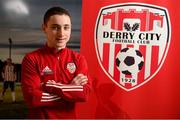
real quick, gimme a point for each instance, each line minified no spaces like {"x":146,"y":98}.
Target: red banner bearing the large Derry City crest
{"x":132,"y":51}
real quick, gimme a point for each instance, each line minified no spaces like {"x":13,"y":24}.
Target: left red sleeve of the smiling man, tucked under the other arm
{"x":31,"y":86}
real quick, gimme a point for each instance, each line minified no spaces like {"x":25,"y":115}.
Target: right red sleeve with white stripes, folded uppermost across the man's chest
{"x":72,"y":92}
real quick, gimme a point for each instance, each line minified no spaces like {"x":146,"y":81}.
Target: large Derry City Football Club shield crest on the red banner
{"x":132,"y":41}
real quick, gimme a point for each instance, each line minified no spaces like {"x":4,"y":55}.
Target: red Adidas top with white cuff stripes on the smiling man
{"x":57,"y":98}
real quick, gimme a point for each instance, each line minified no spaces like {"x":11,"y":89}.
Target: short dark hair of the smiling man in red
{"x":53,"y":11}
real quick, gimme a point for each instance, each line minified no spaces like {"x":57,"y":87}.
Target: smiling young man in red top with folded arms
{"x":54,"y":77}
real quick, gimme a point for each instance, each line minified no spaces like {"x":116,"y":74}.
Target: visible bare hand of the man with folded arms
{"x":80,"y":79}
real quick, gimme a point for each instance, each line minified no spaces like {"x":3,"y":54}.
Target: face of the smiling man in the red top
{"x":58,"y":31}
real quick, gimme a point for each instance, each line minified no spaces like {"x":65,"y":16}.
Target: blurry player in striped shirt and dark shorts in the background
{"x":9,"y":76}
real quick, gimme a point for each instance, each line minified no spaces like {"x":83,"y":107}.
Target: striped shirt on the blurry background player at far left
{"x":9,"y":73}
